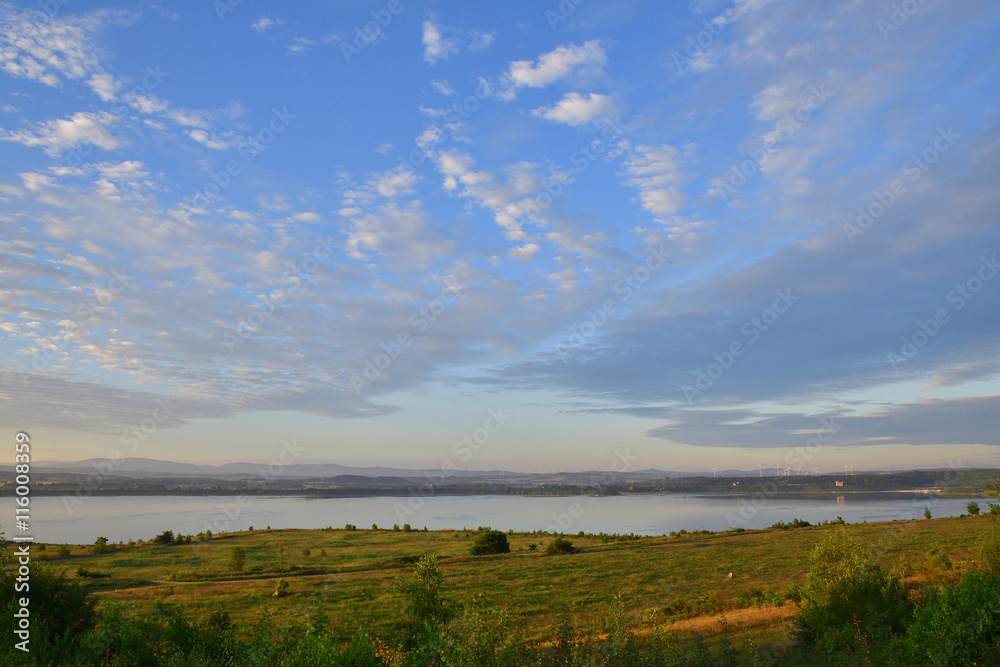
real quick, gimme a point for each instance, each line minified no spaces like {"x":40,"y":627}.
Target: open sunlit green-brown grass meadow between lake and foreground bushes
{"x":354,"y":583}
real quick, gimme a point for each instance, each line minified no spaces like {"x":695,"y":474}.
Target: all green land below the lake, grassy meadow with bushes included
{"x":907,"y":593}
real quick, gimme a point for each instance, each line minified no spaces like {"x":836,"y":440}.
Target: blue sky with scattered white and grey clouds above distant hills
{"x":536,"y":236}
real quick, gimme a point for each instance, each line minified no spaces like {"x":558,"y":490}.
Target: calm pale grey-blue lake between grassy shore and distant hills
{"x":124,"y":518}
